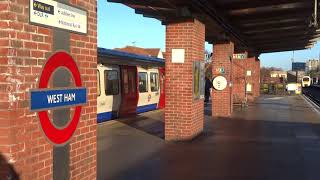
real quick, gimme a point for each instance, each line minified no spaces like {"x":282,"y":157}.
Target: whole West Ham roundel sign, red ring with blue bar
{"x":44,"y":99}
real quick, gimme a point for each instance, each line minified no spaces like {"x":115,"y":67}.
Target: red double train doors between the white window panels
{"x":129,"y":90}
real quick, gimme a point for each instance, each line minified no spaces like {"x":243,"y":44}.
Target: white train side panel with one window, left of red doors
{"x":109,"y":97}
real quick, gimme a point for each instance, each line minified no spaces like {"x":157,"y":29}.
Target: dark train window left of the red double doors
{"x":112,"y":82}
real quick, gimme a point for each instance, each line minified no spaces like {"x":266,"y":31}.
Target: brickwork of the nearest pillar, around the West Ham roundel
{"x":24,"y":49}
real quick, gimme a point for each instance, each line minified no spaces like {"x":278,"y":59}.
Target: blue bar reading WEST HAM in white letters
{"x":42,"y":99}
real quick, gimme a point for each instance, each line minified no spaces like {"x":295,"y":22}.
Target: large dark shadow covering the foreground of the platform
{"x":234,"y":149}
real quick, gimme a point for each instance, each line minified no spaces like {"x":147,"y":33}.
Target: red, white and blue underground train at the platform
{"x":128,"y":84}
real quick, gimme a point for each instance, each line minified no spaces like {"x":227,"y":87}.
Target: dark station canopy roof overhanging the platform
{"x":257,"y":26}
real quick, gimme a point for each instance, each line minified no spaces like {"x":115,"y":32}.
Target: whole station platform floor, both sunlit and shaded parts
{"x":275,"y":138}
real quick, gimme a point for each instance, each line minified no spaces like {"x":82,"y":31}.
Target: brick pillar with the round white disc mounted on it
{"x":222,"y":101}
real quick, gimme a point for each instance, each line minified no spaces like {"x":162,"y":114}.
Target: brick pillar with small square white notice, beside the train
{"x":183,"y":116}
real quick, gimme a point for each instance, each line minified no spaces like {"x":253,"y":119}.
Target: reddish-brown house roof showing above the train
{"x":152,"y":52}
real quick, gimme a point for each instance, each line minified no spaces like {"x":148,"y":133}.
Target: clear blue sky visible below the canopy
{"x":119,"y":26}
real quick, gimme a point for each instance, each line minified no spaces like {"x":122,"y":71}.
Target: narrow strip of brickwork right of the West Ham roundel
{"x":83,"y":158}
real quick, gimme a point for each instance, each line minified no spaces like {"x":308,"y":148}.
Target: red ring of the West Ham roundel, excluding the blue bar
{"x":58,"y":60}
